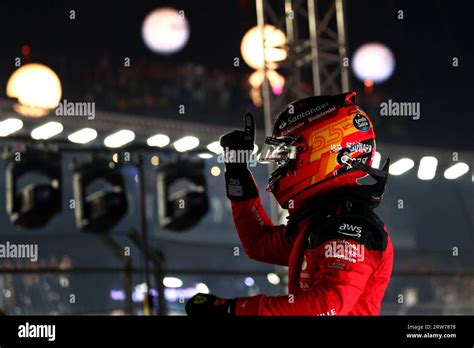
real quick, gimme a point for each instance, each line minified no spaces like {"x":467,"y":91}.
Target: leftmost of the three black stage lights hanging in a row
{"x":34,"y":205}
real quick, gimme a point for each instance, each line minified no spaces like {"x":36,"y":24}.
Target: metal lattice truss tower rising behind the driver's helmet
{"x":317,"y":62}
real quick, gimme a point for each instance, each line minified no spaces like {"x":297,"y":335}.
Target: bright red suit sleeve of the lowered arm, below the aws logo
{"x":340,"y":279}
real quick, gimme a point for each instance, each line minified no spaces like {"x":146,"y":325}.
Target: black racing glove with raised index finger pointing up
{"x":238,"y":146}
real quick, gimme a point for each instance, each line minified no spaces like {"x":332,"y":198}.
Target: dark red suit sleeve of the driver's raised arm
{"x":262,"y":241}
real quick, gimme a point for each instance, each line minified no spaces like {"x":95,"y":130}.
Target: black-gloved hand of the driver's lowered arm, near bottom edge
{"x":206,"y":305}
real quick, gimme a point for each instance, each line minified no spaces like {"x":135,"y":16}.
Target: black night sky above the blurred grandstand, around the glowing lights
{"x":424,"y":43}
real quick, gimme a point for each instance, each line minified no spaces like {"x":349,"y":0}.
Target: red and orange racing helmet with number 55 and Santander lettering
{"x":320,"y":144}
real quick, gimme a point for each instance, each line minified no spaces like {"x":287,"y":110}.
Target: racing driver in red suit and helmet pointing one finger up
{"x":338,"y":252}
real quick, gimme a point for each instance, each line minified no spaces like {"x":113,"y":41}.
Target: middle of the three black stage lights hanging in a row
{"x":98,"y":211}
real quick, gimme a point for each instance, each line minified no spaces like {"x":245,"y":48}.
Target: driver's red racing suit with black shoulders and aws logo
{"x":339,"y":263}
